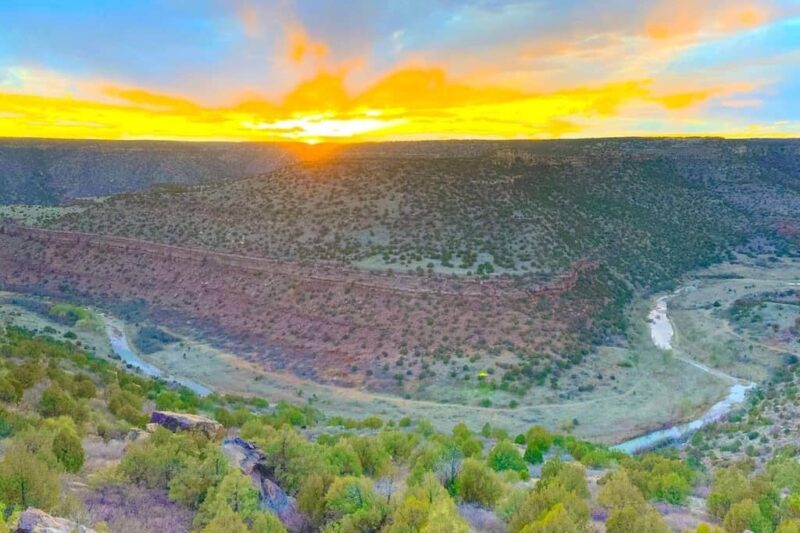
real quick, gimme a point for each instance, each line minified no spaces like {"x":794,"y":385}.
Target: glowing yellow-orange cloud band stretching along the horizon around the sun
{"x":408,"y":103}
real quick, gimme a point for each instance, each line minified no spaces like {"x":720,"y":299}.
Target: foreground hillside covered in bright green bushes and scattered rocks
{"x":77,"y":445}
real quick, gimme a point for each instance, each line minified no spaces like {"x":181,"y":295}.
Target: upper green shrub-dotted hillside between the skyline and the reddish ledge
{"x":649,"y":210}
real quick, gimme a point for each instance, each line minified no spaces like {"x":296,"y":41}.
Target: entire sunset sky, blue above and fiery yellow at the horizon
{"x":373,"y":70}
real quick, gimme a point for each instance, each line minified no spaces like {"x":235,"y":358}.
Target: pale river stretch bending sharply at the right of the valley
{"x":661,"y":332}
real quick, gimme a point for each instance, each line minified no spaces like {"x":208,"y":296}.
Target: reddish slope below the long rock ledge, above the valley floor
{"x":318,"y":321}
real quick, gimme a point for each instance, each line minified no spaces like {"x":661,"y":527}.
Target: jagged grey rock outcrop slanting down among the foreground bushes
{"x":252,"y":463}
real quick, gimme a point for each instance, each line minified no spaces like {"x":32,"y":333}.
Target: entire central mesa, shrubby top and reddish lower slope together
{"x":390,"y":266}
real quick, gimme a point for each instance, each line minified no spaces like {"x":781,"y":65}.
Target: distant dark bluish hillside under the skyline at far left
{"x":34,"y":171}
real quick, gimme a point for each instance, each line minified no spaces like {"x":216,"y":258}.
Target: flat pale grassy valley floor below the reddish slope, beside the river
{"x":644,"y":388}
